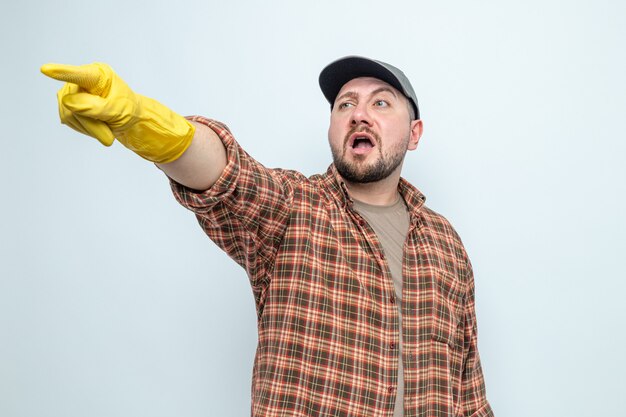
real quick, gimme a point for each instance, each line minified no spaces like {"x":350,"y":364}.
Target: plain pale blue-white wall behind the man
{"x":114,"y":303}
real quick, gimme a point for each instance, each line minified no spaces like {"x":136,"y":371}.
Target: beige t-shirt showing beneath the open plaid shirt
{"x":391,"y":224}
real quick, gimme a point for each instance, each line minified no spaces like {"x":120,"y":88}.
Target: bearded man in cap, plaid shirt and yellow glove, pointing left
{"x":364,"y":296}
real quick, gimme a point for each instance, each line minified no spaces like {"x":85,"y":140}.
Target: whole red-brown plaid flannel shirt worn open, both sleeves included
{"x":328,"y":321}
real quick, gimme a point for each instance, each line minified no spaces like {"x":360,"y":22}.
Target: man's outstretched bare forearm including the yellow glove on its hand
{"x":97,"y":102}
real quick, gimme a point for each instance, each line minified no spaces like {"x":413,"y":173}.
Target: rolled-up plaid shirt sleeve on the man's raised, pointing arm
{"x":246,"y":211}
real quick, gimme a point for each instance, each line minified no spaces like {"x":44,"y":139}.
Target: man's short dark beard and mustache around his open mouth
{"x":362,"y":173}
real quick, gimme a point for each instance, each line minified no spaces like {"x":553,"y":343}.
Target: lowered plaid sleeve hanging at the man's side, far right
{"x":473,"y":394}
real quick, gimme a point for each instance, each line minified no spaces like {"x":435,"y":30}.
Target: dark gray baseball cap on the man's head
{"x":339,"y":72}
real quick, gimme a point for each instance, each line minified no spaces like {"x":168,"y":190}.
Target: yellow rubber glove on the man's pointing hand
{"x":97,"y":102}
